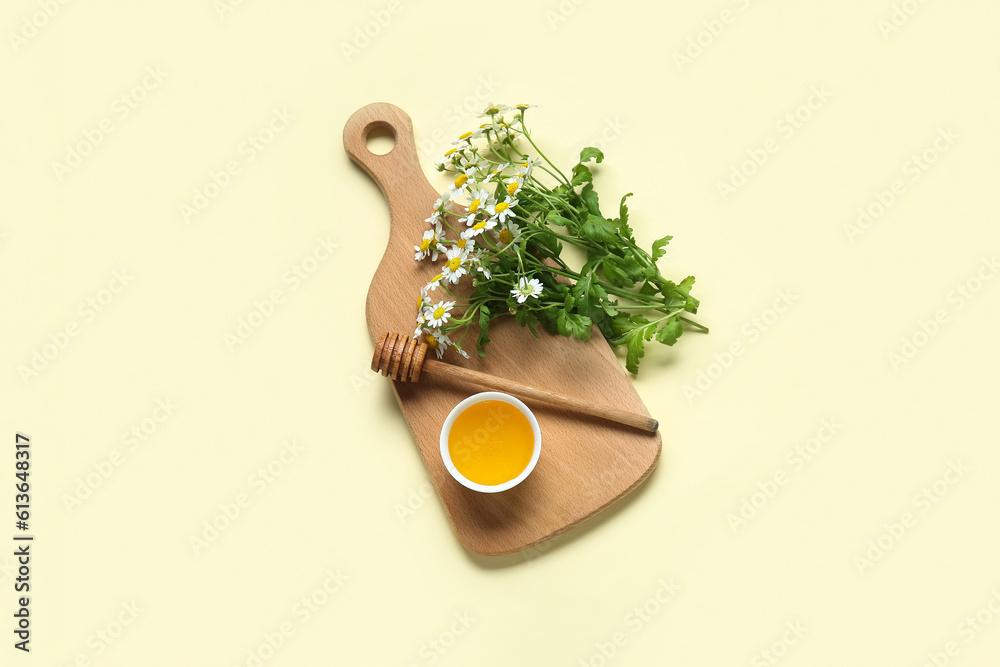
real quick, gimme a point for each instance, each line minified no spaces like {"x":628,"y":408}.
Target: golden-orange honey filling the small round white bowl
{"x":491,"y":442}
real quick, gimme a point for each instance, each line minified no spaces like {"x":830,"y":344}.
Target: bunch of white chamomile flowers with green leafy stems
{"x":503,"y":223}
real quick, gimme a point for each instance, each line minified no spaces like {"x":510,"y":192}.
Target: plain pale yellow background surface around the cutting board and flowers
{"x":351,"y":499}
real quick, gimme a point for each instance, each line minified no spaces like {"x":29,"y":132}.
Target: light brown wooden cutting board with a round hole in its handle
{"x":586,"y":463}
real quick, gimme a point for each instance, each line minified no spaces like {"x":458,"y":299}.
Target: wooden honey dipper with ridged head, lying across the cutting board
{"x":402,"y":358}
